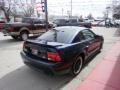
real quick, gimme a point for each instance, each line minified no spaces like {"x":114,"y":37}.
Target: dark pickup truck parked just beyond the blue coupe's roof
{"x":71,"y":22}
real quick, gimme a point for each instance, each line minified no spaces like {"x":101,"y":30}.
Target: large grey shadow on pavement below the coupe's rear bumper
{"x":28,"y":79}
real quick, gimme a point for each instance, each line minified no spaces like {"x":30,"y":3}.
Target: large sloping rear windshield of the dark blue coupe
{"x":61,"y":36}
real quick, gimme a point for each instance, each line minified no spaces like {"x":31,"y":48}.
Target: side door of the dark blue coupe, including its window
{"x":90,"y":38}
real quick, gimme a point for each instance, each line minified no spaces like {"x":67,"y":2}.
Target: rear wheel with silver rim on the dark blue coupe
{"x":77,"y":66}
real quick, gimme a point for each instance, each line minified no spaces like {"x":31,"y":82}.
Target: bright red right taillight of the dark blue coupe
{"x":53,"y":56}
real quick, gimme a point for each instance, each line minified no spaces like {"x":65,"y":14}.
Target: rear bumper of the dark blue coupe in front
{"x":55,"y":68}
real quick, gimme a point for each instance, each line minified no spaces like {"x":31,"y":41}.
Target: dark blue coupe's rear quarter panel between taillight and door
{"x":70,"y":52}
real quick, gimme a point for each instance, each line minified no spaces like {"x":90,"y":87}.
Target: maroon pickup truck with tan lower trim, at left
{"x":23,"y":29}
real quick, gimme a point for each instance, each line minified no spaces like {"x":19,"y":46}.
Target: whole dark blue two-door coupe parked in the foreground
{"x":62,"y":49}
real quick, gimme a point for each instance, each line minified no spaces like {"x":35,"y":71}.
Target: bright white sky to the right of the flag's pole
{"x":80,"y":7}
